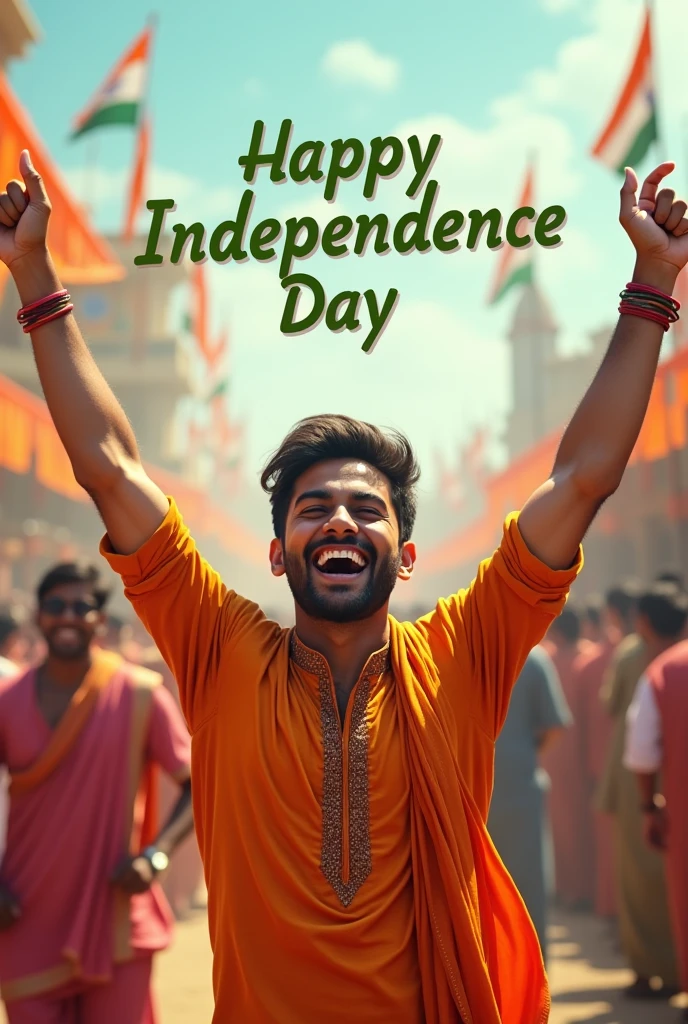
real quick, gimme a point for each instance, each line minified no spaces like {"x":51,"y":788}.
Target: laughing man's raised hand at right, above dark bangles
{"x":657,"y":224}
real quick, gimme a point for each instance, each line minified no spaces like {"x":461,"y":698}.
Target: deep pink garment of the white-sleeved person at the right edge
{"x":669,"y":678}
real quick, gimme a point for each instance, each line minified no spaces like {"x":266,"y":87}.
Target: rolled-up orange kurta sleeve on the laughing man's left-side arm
{"x":187,"y":609}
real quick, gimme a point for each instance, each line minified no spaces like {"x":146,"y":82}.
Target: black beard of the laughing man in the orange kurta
{"x":341,"y":608}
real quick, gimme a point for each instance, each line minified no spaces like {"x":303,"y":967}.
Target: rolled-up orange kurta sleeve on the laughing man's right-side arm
{"x":481,"y":637}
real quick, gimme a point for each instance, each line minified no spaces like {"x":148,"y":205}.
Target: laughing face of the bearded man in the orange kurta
{"x":341,"y":550}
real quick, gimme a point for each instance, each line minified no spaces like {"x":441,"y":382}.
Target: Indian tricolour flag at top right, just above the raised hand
{"x":633,"y":125}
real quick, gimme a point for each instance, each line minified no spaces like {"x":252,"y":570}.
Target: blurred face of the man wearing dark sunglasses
{"x":69,"y":618}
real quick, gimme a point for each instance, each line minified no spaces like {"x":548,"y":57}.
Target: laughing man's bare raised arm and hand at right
{"x":600,"y":439}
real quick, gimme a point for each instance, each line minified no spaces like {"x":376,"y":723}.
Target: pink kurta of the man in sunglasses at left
{"x":67,"y":835}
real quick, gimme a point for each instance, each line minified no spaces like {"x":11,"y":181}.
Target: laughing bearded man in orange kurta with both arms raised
{"x":343,"y":770}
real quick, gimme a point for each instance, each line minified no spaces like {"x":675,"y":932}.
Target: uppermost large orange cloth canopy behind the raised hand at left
{"x":81,"y":257}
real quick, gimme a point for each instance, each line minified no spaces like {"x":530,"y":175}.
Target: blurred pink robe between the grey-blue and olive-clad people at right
{"x":566,"y":762}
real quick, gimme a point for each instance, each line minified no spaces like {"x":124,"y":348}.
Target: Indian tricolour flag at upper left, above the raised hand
{"x":120,"y":98}
